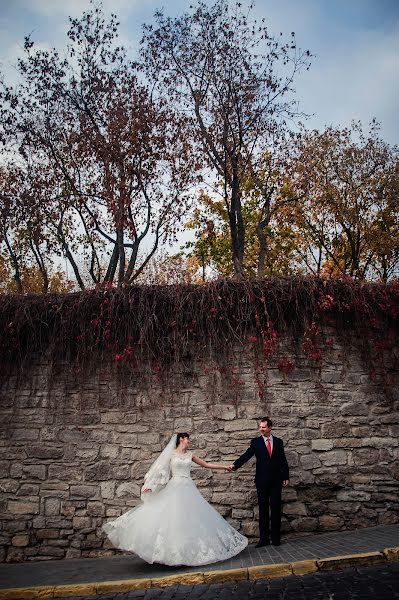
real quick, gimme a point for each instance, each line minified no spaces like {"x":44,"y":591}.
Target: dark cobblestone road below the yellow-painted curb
{"x":369,"y":583}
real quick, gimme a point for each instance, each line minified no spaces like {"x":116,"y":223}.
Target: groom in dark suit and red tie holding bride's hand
{"x":271,"y":474}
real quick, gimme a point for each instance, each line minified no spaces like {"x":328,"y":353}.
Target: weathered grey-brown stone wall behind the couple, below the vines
{"x":74,"y":449}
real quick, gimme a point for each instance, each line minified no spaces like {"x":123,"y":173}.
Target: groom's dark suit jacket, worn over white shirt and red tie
{"x":269,"y":470}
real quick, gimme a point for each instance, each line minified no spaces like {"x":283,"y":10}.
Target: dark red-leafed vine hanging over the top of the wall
{"x":150,"y":332}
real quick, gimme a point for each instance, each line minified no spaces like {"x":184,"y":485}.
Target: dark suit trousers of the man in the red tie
{"x":269,"y":497}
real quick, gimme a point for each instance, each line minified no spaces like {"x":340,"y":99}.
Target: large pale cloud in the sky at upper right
{"x":355,"y":80}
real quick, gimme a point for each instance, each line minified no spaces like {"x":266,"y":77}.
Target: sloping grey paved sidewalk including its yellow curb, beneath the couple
{"x":129,"y":568}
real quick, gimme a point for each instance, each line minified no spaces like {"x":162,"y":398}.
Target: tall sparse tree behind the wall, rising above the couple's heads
{"x":234,"y":80}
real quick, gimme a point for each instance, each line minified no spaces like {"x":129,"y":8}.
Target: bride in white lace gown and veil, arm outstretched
{"x":174,"y":524}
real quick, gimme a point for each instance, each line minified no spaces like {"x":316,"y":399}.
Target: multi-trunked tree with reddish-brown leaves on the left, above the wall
{"x":110,"y":163}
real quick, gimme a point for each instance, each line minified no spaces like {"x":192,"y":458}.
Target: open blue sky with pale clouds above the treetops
{"x":355,"y":43}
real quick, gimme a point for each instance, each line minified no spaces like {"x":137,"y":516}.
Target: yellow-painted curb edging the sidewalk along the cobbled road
{"x":302,"y":567}
